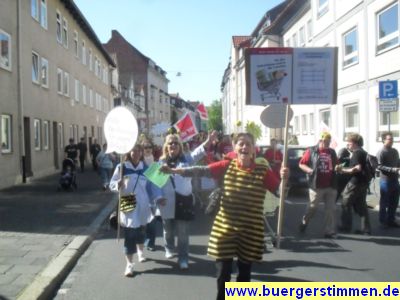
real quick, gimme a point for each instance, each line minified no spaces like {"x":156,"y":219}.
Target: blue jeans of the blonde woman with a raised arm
{"x":181,"y":229}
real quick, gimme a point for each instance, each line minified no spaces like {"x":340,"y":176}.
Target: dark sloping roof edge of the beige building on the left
{"x":84,"y":24}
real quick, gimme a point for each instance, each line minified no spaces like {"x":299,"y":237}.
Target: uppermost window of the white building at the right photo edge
{"x":388,"y":28}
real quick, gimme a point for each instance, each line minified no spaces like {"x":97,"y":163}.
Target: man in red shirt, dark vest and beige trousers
{"x":319,"y":163}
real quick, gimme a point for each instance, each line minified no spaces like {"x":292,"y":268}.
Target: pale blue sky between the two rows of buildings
{"x":192,"y":37}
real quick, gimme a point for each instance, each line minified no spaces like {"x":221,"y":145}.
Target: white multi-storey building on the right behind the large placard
{"x":368,"y":38}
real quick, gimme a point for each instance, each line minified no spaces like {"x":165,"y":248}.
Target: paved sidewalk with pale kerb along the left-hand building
{"x":44,"y":231}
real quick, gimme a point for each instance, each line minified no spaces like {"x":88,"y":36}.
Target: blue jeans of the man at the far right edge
{"x":390,"y":192}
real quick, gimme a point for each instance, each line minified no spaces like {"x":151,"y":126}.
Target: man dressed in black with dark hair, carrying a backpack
{"x":355,"y":192}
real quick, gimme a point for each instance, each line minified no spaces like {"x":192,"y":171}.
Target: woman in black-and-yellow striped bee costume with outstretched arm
{"x":238,"y":229}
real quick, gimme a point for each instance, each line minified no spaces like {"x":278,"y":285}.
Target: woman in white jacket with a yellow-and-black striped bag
{"x":138,"y":196}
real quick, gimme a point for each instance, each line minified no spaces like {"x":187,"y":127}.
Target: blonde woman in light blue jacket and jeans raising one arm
{"x":176,"y":214}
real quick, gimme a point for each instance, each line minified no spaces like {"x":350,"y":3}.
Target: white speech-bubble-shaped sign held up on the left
{"x":120,"y":130}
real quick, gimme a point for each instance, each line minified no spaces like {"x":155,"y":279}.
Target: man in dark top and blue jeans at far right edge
{"x":388,"y":164}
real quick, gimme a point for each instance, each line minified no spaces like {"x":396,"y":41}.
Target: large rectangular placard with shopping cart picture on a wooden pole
{"x":291,"y":75}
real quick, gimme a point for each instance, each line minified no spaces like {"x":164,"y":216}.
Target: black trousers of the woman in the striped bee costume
{"x":224,"y":271}
